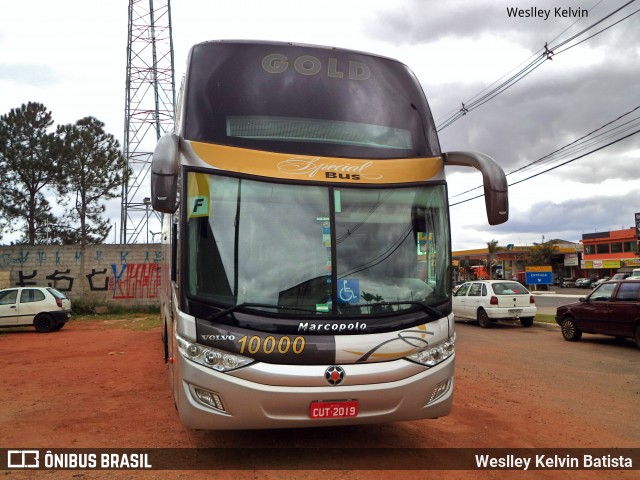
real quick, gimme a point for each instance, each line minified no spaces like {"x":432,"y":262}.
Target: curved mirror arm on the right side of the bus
{"x":496,"y":195}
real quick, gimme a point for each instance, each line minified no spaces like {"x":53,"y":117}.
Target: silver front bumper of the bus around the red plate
{"x":207,"y":399}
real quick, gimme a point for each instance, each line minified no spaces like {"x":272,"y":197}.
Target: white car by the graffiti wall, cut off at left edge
{"x":45,"y":308}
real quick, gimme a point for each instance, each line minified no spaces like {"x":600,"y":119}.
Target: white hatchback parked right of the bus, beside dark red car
{"x":488,"y":301}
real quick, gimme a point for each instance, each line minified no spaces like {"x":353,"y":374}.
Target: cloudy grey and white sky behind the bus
{"x":71,"y":56}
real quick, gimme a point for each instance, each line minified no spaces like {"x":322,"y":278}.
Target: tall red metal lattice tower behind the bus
{"x":149,"y":109}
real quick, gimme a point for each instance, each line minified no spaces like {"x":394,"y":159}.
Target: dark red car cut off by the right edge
{"x":613,"y":308}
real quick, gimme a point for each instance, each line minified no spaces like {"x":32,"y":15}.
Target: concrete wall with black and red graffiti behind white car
{"x":126,"y":275}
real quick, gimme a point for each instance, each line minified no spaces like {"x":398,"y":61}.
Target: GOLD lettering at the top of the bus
{"x":310,"y":65}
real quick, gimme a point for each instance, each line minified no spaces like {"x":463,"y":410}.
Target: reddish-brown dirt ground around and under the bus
{"x":99,"y":385}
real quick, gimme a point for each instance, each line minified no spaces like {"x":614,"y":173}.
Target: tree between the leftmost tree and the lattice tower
{"x":92,"y":167}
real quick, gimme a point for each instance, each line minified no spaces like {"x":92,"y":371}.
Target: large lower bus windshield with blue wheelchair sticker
{"x":293,"y":249}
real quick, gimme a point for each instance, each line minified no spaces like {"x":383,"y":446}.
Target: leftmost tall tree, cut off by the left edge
{"x":29,"y":165}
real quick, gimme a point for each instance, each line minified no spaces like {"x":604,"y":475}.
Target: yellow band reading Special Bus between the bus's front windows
{"x":313,"y":168}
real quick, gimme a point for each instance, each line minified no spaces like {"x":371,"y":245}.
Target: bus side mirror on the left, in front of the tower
{"x":164,"y":174}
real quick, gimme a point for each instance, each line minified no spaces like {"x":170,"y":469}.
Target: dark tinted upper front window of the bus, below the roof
{"x":347,"y":104}
